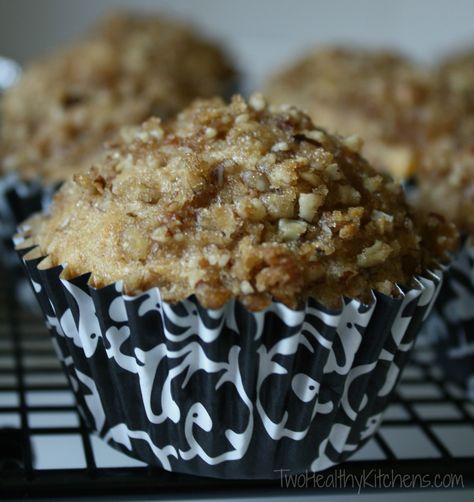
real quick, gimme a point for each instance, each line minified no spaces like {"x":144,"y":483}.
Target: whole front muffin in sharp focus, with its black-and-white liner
{"x":236,"y":288}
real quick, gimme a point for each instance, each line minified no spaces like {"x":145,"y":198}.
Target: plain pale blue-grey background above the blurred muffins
{"x":261,"y":33}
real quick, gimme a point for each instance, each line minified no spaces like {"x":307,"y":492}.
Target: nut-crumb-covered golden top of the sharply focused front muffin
{"x":238,"y":200}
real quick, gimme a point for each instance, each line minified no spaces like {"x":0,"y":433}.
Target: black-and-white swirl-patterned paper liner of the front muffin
{"x":230,"y":393}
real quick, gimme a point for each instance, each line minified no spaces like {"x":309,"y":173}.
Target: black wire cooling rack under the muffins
{"x":427,"y":435}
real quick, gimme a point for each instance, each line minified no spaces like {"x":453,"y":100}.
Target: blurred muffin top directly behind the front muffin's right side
{"x":392,"y":103}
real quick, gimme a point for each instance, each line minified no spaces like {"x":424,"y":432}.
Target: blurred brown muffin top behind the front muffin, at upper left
{"x":131,"y":67}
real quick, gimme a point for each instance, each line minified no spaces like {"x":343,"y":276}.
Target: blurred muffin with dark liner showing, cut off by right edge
{"x":445,"y":183}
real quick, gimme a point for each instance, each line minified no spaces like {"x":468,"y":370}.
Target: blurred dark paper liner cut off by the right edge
{"x":450,"y":328}
